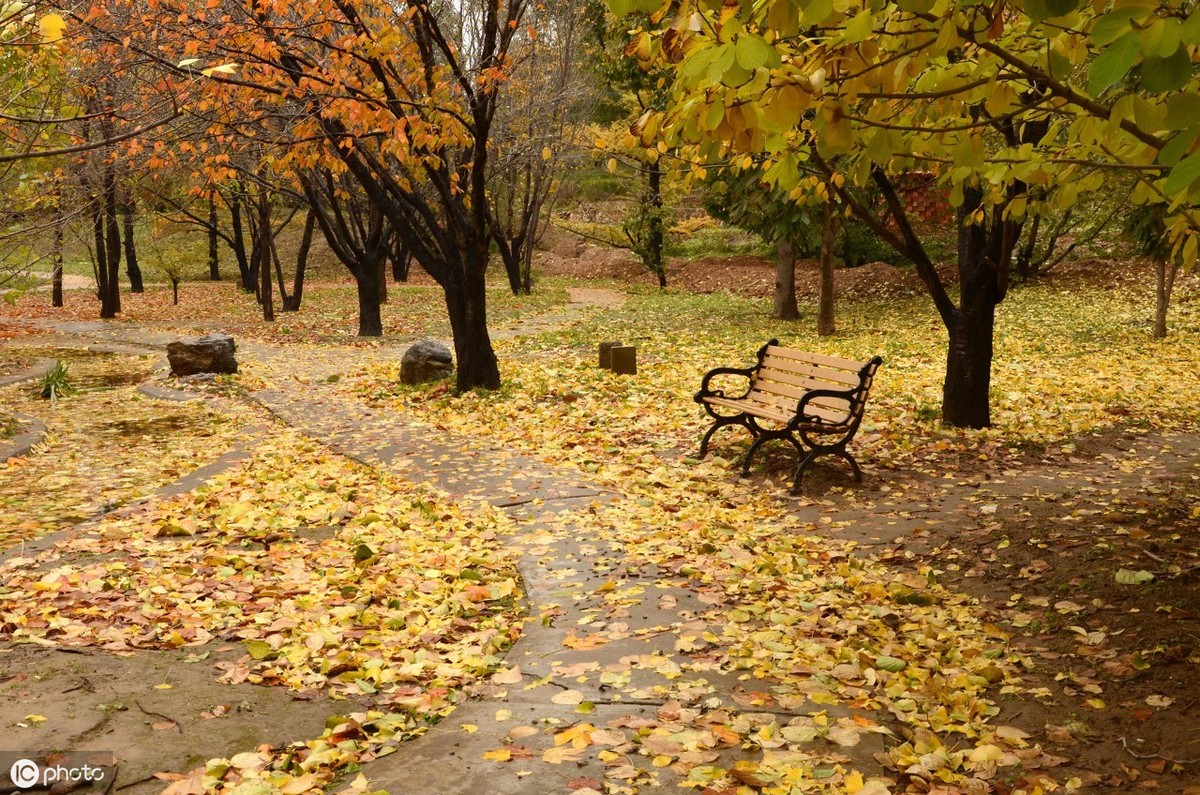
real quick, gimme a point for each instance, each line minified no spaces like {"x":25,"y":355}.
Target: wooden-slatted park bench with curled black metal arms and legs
{"x":813,"y":402}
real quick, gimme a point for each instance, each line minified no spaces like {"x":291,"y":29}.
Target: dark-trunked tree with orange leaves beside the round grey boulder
{"x":403,"y":97}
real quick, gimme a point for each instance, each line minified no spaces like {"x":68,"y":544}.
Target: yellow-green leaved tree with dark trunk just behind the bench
{"x":999,"y":100}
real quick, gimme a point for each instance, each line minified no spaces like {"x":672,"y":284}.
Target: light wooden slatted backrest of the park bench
{"x":785,"y":375}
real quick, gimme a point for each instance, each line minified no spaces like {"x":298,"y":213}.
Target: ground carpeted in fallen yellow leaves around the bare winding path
{"x":1017,"y":606}
